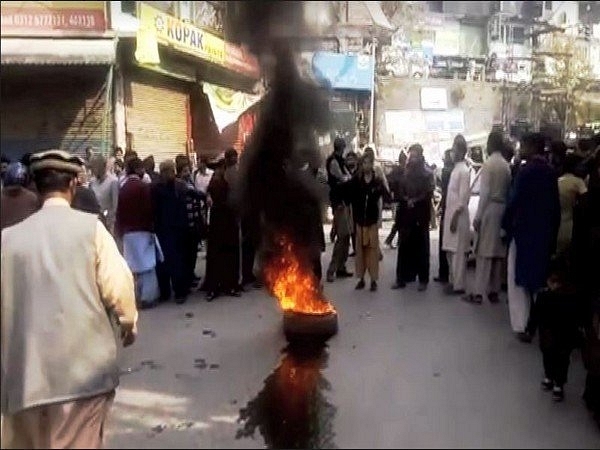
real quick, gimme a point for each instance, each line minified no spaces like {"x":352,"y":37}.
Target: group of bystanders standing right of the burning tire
{"x":536,"y":233}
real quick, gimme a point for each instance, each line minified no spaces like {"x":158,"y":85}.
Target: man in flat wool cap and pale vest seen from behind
{"x":65,"y":292}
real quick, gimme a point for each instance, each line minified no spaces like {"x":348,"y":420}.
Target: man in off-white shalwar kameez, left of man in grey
{"x":457,"y":234}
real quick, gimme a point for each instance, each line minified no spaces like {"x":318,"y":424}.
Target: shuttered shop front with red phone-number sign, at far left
{"x":57,"y":67}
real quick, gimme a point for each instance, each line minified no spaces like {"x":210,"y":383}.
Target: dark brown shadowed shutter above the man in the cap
{"x":39,"y":114}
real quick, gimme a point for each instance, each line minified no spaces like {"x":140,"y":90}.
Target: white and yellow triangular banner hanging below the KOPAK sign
{"x":228,"y":105}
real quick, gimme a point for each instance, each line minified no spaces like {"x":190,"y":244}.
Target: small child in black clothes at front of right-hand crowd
{"x":558,"y":311}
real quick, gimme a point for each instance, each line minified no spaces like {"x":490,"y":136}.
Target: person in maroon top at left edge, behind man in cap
{"x":17,"y":202}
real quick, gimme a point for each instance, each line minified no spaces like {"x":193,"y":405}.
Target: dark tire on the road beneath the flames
{"x":300,"y":326}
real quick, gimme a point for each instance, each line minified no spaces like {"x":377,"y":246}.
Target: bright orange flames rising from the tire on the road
{"x":294,"y":284}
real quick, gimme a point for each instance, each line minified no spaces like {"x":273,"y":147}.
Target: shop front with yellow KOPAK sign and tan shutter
{"x":164,"y":79}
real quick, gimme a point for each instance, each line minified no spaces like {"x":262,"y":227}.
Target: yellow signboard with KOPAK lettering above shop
{"x":182,"y":36}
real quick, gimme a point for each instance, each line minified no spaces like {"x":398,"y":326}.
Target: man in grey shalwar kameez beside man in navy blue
{"x":490,"y":249}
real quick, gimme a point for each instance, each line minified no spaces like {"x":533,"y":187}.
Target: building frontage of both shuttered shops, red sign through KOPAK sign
{"x":155,"y":77}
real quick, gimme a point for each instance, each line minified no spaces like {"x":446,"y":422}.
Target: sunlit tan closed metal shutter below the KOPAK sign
{"x":156,"y":115}
